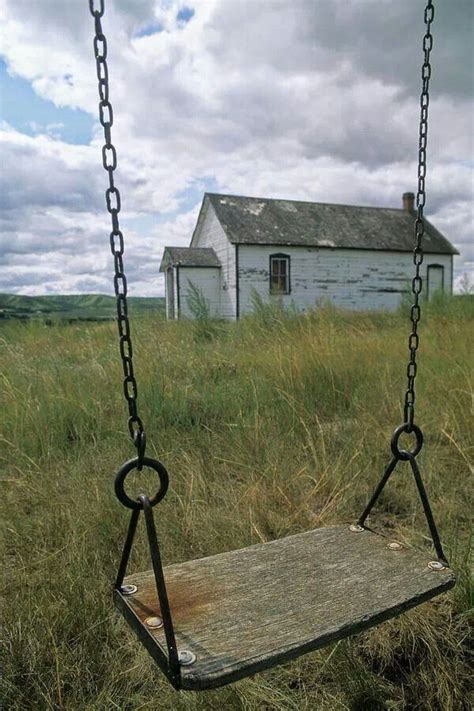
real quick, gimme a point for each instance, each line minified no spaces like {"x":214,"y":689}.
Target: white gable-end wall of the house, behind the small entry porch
{"x":210,"y":234}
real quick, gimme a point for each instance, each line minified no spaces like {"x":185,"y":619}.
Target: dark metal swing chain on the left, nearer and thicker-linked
{"x":113,"y":202}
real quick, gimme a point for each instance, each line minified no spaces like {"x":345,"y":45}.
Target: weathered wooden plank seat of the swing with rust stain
{"x":250,"y":609}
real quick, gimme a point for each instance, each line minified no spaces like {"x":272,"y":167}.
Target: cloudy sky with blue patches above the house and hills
{"x":305,"y":99}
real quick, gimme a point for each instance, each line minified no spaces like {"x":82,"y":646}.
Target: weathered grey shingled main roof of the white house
{"x":249,"y":220}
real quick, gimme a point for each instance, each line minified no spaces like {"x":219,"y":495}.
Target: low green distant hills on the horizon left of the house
{"x":81,"y":307}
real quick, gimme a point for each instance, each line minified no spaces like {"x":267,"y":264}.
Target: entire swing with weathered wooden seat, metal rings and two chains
{"x":211,"y":621}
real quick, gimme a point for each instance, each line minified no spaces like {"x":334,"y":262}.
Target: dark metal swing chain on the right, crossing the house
{"x":415,"y":313}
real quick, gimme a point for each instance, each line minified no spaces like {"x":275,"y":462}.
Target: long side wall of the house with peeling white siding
{"x":348,"y":278}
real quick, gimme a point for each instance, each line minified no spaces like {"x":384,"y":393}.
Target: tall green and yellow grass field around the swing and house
{"x":268,"y":427}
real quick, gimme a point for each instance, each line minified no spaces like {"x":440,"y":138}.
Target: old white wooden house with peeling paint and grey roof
{"x":300,"y":253}
